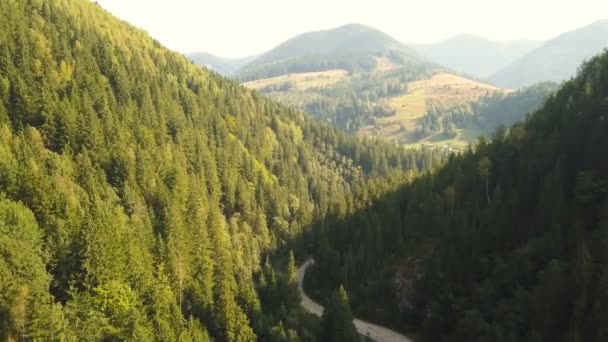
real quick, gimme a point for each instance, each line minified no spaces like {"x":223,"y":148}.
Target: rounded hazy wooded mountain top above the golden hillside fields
{"x":351,"y":47}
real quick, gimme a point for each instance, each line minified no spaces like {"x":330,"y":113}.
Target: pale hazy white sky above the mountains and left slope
{"x":234,"y":28}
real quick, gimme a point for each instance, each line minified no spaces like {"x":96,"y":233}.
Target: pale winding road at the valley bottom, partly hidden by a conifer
{"x":375,"y":332}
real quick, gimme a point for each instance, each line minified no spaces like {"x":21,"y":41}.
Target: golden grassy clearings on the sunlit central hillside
{"x":410,"y":107}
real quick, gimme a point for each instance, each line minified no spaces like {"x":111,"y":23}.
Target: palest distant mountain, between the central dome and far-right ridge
{"x":475,"y":55}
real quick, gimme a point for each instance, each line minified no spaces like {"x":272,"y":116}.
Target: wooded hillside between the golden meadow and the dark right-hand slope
{"x":489,"y":112}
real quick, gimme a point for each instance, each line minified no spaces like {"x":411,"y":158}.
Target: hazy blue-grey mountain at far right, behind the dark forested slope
{"x":557,"y":59}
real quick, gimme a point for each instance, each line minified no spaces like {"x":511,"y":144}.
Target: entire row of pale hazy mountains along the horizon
{"x":510,"y":64}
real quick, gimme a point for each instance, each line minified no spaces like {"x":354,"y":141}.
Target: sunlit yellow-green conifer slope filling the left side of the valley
{"x":140,"y":193}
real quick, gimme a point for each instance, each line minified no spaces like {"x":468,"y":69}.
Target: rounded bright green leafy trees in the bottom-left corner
{"x":26,"y":309}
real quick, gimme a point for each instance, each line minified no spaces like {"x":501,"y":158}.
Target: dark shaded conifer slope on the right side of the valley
{"x":505,"y":243}
